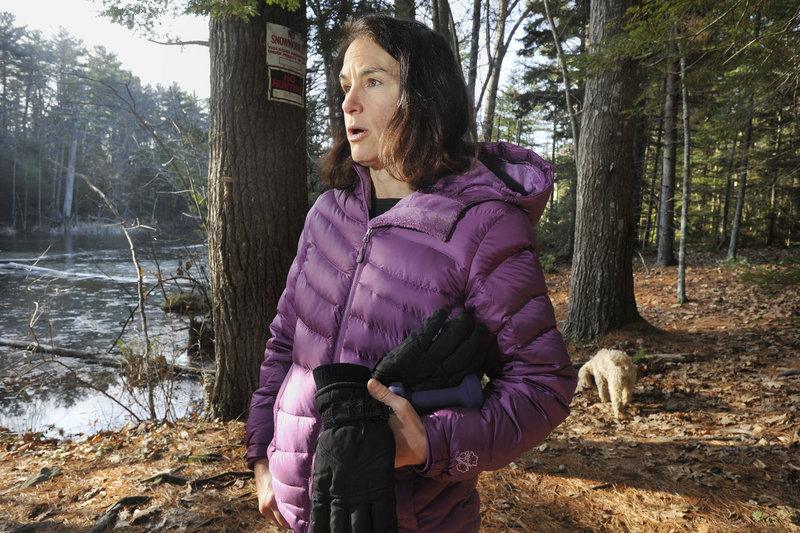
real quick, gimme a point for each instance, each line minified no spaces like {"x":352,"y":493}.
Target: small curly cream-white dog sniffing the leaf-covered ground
{"x":614,"y":374}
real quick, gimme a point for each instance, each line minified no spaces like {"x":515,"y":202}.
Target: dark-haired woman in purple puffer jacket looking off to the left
{"x":417,"y":219}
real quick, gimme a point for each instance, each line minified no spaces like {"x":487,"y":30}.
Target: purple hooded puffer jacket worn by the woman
{"x":358,"y":287}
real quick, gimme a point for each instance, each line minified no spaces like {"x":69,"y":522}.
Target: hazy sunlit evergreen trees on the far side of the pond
{"x":70,"y":111}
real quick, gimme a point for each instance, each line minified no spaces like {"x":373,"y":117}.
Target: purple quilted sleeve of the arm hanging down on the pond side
{"x":277,"y":360}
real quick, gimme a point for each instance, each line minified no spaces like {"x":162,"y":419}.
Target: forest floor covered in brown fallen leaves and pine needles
{"x":711,"y":442}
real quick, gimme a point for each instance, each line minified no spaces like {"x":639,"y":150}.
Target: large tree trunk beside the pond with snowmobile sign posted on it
{"x":257,"y":200}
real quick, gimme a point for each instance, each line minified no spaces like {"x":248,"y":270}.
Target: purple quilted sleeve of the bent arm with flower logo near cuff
{"x":532,"y":379}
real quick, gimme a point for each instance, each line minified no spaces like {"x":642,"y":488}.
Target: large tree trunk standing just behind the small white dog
{"x":601,"y":296}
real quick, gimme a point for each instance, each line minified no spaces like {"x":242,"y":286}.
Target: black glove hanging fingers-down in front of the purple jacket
{"x":353,"y":485}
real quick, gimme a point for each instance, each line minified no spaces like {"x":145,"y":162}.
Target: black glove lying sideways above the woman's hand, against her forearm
{"x":426,"y":361}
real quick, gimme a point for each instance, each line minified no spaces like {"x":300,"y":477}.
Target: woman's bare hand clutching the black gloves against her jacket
{"x":409,"y":433}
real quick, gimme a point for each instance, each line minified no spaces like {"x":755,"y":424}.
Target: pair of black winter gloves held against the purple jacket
{"x":353,"y":485}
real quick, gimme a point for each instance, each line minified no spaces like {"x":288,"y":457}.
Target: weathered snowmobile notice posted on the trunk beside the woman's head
{"x":286,"y":65}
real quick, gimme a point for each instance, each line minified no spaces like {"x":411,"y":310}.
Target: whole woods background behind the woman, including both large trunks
{"x":669,"y":123}
